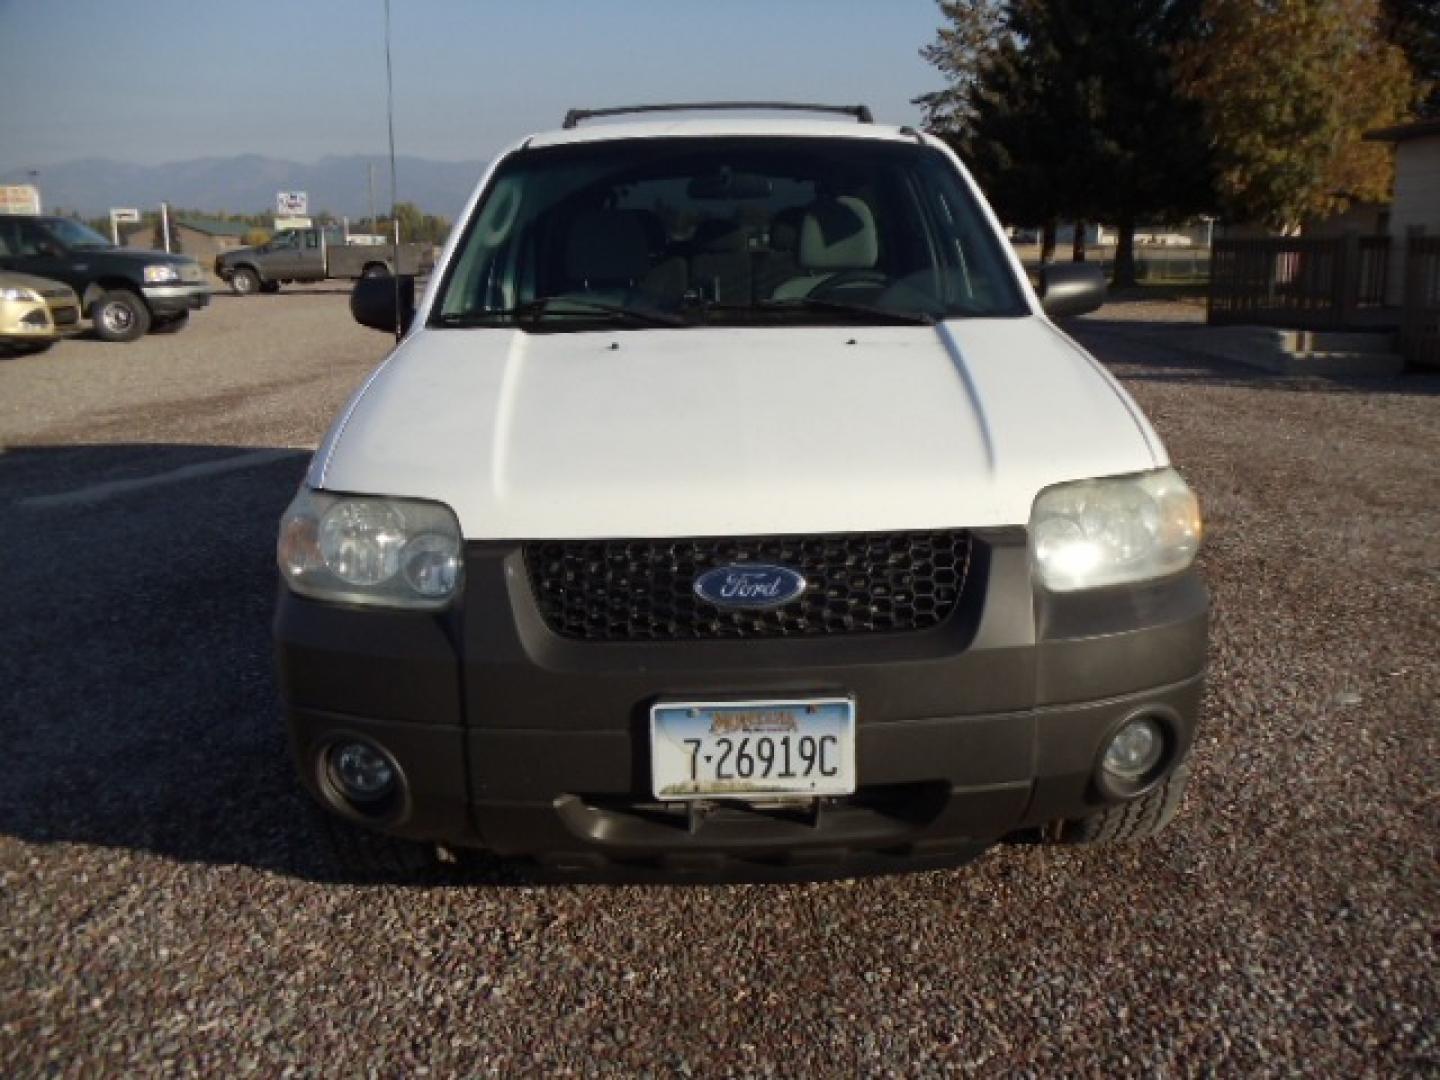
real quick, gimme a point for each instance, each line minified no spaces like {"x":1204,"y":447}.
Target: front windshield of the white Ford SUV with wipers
{"x":646,"y":234}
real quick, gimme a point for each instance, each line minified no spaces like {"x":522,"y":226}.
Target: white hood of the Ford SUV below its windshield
{"x":735,"y":431}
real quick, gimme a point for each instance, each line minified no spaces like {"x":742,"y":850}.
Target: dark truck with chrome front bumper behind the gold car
{"x":126,"y":293}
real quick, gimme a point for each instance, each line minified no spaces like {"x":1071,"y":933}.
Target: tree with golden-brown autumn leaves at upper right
{"x":1290,"y":89}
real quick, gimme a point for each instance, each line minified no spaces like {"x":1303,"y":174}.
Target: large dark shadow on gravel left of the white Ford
{"x":138,"y":698}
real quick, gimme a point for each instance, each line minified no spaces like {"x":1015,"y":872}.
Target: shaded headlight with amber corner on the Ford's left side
{"x":362,"y":549}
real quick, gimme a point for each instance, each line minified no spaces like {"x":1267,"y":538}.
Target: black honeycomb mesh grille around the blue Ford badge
{"x":644,"y":590}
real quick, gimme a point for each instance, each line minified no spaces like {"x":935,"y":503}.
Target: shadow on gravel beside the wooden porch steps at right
{"x":1161,"y":358}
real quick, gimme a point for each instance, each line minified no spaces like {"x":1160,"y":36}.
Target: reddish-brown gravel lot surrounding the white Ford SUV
{"x":166,"y":904}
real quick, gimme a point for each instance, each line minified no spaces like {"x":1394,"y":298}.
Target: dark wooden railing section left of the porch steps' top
{"x":1301,"y":283}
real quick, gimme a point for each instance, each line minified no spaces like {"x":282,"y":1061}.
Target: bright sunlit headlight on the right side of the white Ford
{"x":1115,"y":531}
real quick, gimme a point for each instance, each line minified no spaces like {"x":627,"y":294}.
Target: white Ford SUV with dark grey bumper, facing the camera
{"x":734,"y":508}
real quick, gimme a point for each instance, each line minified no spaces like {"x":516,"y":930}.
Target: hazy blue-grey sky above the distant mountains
{"x":158,"y":81}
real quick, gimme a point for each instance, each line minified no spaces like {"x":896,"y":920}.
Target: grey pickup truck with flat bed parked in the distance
{"x":307,"y":256}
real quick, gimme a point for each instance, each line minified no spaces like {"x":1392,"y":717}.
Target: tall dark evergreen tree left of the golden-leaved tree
{"x":1072,"y":110}
